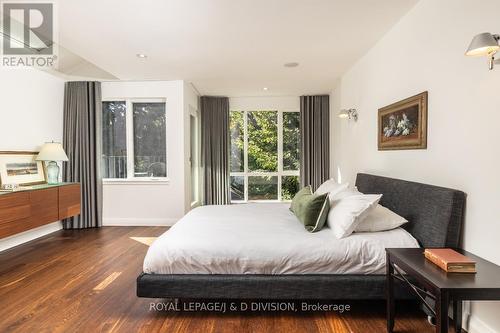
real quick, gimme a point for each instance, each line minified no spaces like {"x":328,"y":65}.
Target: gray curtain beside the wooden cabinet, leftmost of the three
{"x":81,"y":141}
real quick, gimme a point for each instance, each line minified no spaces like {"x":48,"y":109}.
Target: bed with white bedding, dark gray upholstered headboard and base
{"x":261,"y":251}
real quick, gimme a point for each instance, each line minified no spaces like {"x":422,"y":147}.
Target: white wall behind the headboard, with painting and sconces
{"x":425,"y":51}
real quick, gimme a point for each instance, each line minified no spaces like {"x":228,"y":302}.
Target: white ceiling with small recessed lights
{"x":228,"y":47}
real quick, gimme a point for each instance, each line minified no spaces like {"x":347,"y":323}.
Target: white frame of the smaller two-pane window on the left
{"x":129,"y":136}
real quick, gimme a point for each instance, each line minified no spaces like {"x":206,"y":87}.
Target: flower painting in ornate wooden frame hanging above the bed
{"x":415,"y":135}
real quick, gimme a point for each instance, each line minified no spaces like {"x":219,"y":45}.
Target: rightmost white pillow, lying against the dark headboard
{"x":380,"y":219}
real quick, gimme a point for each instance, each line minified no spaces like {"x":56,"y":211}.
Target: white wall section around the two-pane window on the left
{"x":157,"y":203}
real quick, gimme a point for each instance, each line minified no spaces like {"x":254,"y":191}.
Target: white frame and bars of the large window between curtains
{"x":279,"y":173}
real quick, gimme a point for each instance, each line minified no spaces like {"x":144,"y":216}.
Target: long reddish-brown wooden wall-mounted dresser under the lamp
{"x":38,"y":205}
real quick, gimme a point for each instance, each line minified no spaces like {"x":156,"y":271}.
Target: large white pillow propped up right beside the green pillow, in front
{"x":345,"y":214}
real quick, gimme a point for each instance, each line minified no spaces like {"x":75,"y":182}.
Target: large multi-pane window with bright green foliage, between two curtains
{"x":264,"y":159}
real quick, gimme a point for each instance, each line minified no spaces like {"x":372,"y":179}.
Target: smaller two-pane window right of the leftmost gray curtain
{"x":134,"y":139}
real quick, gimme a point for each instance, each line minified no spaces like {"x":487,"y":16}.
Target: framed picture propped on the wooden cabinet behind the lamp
{"x":27,"y":175}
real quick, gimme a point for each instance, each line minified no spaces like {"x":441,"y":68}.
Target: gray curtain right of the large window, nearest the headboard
{"x":315,"y":140}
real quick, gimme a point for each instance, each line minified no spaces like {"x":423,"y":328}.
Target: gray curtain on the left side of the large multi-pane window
{"x":215,"y":150}
